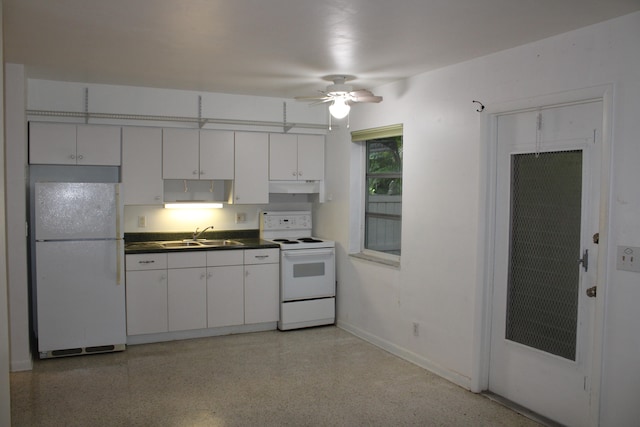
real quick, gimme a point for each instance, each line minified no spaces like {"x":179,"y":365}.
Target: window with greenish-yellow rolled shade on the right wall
{"x":382,"y":189}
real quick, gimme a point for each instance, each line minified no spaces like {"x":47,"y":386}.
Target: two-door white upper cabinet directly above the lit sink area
{"x":197,"y":154}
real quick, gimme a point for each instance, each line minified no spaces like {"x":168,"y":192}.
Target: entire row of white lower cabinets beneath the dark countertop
{"x":180,"y":291}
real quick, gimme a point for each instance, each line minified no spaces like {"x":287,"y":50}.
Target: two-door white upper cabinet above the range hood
{"x":296,"y":157}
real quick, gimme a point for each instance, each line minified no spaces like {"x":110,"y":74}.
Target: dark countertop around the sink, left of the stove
{"x":139,"y":243}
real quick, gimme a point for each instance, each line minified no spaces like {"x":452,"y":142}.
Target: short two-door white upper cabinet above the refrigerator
{"x":70,"y":144}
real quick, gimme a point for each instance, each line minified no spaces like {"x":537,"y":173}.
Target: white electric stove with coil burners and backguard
{"x":307,"y":270}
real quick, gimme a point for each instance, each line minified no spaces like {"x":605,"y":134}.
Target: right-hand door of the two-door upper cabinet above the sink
{"x":216,"y":154}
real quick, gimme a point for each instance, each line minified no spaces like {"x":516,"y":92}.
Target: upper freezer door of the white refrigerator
{"x":70,"y":211}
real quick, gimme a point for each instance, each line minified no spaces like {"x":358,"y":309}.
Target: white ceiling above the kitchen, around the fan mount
{"x":279,"y":48}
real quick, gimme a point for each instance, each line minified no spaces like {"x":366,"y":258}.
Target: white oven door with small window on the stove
{"x":307,"y":273}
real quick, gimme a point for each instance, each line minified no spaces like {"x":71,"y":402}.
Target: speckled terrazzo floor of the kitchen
{"x":312,"y":377}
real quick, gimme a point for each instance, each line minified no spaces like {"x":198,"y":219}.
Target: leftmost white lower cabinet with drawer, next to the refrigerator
{"x":146,"y":283}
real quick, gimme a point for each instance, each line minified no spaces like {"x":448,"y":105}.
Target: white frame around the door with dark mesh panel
{"x":486,"y":232}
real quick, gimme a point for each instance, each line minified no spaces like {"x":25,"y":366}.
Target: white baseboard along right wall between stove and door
{"x":409,"y":356}
